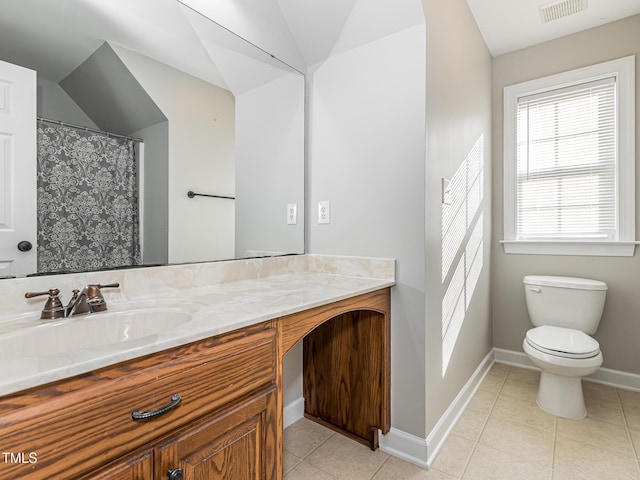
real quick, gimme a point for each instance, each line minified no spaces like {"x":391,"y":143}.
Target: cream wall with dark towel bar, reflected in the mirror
{"x":201,"y":158}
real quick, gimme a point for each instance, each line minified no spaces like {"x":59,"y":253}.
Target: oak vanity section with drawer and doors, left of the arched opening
{"x":226,"y":421}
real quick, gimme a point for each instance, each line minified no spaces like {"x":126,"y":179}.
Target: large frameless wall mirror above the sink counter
{"x":217,"y":116}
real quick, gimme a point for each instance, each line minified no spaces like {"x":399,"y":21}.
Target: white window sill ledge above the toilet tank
{"x":598,"y":249}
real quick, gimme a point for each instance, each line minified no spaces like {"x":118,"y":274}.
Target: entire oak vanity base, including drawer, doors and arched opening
{"x":228,"y":424}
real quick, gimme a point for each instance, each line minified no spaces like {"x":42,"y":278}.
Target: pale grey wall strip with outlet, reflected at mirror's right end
{"x":270,"y":167}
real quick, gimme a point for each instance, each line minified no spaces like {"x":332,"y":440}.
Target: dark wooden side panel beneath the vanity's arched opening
{"x":346,"y":382}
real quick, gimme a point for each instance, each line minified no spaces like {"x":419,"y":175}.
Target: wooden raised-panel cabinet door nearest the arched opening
{"x":238,"y":443}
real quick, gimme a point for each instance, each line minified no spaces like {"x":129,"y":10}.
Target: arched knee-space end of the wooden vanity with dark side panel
{"x":346,"y":363}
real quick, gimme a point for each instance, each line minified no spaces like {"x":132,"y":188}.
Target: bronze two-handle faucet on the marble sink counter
{"x":89,"y":300}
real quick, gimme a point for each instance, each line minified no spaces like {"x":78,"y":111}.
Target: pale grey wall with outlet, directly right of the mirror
{"x":366,"y":156}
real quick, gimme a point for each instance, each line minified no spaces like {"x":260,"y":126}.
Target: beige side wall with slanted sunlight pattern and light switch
{"x":458,"y":118}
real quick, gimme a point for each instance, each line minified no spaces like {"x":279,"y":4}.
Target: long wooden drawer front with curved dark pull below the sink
{"x":89,"y":427}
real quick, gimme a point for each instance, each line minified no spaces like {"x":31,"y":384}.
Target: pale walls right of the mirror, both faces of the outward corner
{"x":378,"y":150}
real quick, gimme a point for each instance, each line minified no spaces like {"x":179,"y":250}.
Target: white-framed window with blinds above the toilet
{"x":569,"y":155}
